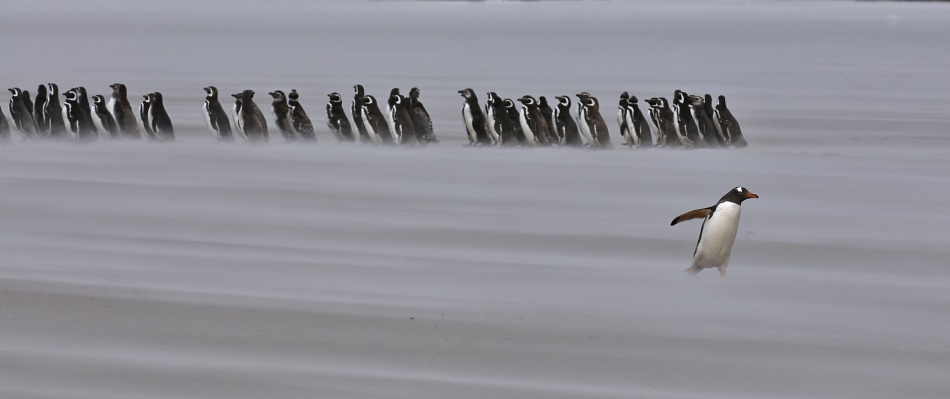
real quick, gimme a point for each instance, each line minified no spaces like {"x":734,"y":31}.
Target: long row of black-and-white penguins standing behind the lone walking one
{"x":690,"y":121}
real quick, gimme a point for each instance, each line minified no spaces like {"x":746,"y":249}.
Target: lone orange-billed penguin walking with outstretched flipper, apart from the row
{"x":718,"y":233}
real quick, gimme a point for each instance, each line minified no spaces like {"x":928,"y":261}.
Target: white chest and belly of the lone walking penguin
{"x":718,"y":234}
